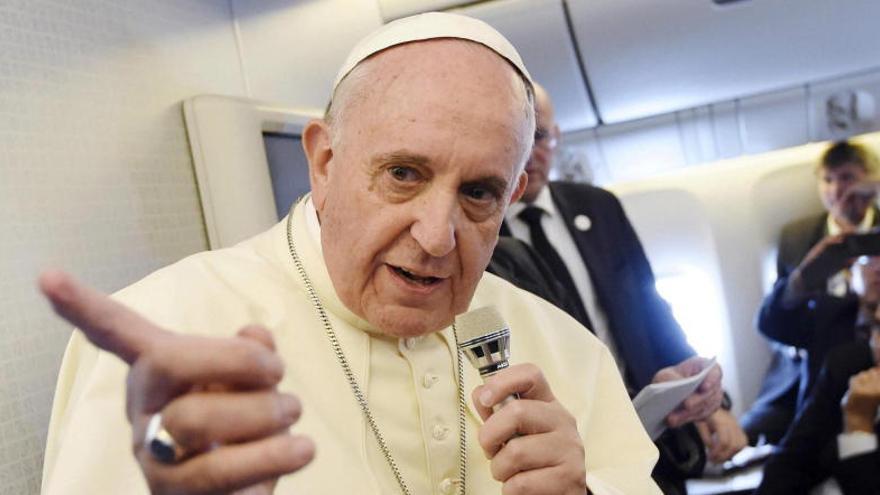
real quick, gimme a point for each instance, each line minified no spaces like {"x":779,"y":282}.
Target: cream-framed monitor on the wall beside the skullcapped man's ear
{"x":248,"y":161}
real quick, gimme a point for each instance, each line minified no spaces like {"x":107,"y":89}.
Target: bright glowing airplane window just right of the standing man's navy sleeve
{"x":696,"y":305}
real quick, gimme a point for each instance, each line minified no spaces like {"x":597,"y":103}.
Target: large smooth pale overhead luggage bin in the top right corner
{"x":647,"y":58}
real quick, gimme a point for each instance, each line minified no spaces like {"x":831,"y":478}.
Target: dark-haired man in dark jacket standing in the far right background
{"x":812,"y":307}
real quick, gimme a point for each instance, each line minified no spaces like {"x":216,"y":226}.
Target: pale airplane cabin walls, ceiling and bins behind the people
{"x":136,"y":133}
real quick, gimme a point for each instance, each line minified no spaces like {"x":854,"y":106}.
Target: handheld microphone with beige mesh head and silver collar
{"x":486,"y":343}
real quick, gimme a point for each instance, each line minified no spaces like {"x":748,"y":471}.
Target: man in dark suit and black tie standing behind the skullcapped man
{"x":589,"y":244}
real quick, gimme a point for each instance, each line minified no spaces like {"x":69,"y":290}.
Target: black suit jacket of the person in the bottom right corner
{"x":808,"y":453}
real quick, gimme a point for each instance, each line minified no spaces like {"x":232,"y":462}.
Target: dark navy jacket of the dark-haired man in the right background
{"x":818,"y":324}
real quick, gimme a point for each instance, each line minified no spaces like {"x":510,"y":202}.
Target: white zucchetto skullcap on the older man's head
{"x":428,"y":26}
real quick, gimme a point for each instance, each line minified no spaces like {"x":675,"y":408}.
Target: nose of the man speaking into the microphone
{"x":436,"y":219}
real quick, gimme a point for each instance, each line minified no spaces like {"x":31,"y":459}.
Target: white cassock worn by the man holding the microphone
{"x":410,"y":383}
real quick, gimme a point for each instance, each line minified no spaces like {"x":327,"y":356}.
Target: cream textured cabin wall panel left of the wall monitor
{"x":95,"y":171}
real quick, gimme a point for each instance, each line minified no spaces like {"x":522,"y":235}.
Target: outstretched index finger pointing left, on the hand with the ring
{"x":106,"y":323}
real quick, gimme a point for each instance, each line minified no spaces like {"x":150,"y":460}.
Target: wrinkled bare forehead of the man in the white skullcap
{"x":445,"y":83}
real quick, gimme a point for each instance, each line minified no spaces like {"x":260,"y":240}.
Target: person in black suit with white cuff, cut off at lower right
{"x":835,"y":433}
